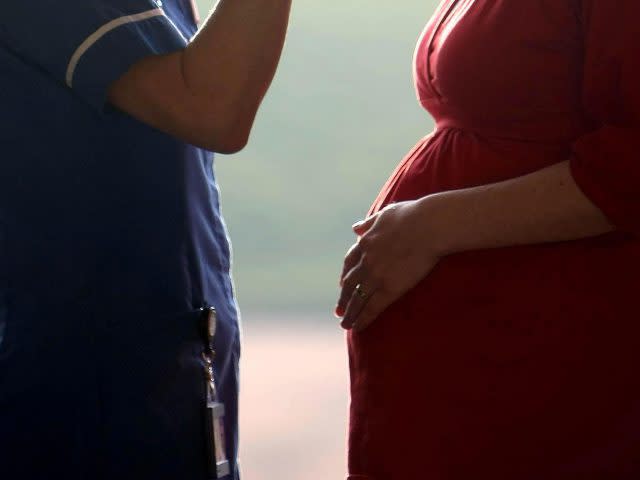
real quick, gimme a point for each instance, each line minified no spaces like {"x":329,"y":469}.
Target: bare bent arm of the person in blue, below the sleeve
{"x":208,"y":93}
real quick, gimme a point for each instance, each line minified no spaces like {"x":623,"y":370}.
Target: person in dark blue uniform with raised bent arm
{"x":113,"y":252}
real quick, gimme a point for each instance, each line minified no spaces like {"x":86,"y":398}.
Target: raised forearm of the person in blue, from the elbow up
{"x":232,"y":60}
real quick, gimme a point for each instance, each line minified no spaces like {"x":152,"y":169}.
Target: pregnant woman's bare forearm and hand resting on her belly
{"x":400,"y":245}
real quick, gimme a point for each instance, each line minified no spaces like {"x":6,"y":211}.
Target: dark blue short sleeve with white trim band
{"x":86,"y":44}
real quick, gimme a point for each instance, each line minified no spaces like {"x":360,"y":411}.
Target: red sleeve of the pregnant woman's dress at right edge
{"x":606,"y":161}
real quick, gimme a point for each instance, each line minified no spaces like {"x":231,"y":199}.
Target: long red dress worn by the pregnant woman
{"x":524,"y":362}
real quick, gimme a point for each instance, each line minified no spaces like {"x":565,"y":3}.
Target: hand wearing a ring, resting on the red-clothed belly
{"x":396,"y":248}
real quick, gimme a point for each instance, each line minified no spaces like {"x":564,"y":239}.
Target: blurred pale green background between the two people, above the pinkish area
{"x":341,"y":113}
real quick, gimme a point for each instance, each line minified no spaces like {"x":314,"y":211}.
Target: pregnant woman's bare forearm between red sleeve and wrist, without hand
{"x":544,"y":206}
